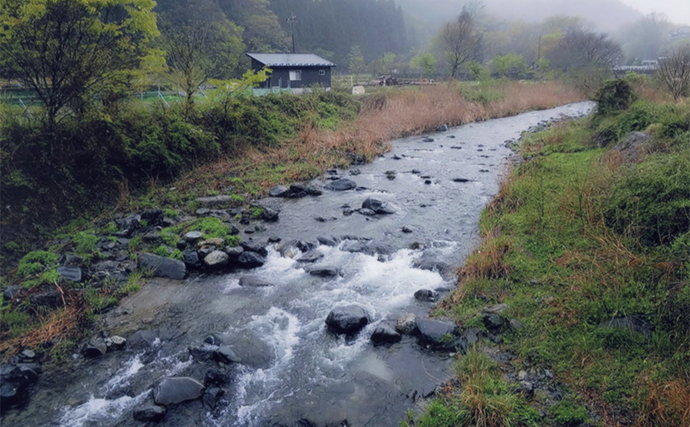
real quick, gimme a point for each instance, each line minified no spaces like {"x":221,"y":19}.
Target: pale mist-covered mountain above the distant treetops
{"x":605,"y":15}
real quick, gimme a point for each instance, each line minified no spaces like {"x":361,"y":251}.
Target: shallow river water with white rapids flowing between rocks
{"x":296,"y":369}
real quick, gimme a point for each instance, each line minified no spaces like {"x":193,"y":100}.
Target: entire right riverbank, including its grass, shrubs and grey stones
{"x":580,"y":285}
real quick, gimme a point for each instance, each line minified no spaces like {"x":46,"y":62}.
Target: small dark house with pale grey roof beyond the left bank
{"x":293,"y":72}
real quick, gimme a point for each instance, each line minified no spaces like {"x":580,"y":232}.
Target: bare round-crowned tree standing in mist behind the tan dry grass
{"x":460,"y":39}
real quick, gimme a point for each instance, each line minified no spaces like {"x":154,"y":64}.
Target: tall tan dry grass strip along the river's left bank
{"x":383,"y":119}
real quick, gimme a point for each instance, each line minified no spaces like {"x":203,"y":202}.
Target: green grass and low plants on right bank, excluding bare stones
{"x":573,"y":240}
